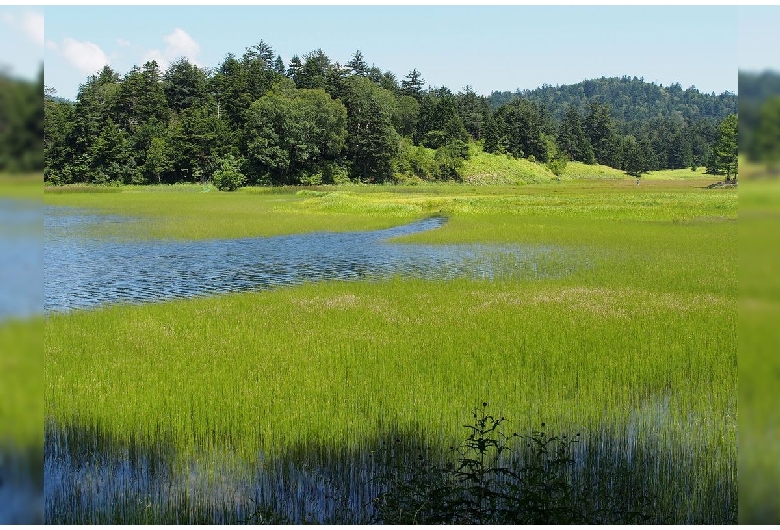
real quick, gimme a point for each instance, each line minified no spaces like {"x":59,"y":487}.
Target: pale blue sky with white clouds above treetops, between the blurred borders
{"x":488,"y":48}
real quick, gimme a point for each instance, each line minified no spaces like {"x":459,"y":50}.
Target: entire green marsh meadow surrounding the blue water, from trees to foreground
{"x":637,"y":350}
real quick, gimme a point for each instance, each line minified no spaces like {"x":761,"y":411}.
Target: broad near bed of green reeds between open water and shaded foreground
{"x":243,"y":367}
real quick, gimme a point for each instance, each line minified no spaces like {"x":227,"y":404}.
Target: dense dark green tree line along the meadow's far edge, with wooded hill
{"x":256,"y":120}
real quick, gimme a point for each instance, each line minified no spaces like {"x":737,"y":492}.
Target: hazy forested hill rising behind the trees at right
{"x":630,"y":99}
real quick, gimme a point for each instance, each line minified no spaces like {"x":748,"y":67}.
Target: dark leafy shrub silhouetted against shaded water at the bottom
{"x":484,"y":486}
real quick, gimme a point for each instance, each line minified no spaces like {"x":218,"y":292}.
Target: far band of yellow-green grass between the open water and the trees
{"x":187,"y":212}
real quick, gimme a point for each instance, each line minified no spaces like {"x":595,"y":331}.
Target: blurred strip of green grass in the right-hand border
{"x":759,"y":362}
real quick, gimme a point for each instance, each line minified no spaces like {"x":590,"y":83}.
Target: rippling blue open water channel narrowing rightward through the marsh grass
{"x":83,"y":271}
